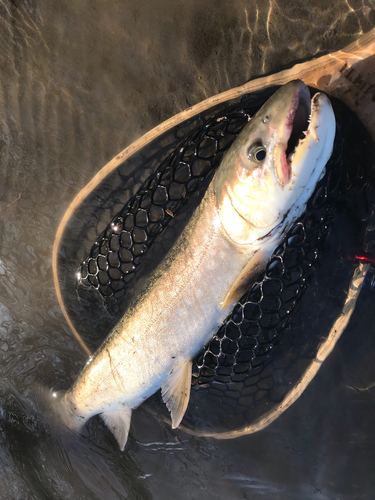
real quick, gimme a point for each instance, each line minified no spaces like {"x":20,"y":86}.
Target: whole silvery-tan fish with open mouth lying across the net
{"x":259,"y":190}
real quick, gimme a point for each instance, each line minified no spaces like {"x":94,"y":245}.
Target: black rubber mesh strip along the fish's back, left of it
{"x":119,"y":250}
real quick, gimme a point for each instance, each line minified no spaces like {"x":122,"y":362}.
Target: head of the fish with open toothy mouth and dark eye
{"x":276,"y":160}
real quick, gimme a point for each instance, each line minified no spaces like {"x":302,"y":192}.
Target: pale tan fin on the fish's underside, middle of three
{"x":175,"y":391}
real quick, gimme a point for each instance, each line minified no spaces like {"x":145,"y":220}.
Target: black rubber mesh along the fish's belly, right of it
{"x":248,"y":335}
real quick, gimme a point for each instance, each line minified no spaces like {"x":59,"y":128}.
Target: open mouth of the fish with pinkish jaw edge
{"x":295,"y":128}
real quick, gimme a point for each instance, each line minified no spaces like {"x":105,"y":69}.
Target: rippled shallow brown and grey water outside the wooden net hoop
{"x":78,"y":83}
